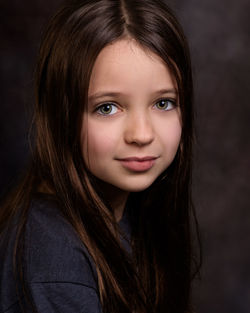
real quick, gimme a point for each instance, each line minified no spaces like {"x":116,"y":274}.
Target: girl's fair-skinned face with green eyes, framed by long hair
{"x":132,"y":125}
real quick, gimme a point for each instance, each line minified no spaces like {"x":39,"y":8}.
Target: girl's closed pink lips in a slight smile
{"x":138,"y":164}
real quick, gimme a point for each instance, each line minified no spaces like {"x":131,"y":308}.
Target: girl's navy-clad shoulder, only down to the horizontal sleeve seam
{"x":53,"y":251}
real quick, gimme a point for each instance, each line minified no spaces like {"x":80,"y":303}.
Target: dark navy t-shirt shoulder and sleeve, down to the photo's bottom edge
{"x":60,"y":274}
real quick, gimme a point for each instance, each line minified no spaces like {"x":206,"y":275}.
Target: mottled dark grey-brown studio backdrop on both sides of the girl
{"x":219,"y":36}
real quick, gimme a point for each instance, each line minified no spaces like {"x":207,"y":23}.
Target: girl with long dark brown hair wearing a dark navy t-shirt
{"x":101,"y":222}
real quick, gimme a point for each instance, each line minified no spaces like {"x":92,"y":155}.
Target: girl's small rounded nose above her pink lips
{"x":139,"y":130}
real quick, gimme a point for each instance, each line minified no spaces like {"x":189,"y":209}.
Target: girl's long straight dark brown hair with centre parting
{"x":159,"y":278}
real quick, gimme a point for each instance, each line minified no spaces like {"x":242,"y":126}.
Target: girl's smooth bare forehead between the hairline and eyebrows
{"x":126,"y":66}
